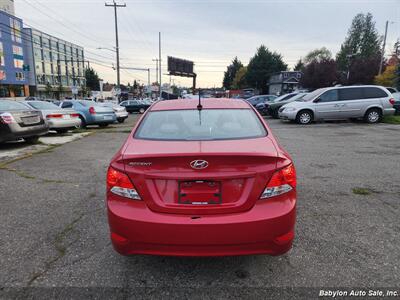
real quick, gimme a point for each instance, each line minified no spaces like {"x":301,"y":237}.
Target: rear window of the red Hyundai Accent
{"x":192,"y":125}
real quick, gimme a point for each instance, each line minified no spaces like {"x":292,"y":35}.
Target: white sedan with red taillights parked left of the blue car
{"x":58,"y":119}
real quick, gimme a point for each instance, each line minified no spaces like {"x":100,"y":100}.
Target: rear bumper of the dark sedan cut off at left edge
{"x":14,"y":131}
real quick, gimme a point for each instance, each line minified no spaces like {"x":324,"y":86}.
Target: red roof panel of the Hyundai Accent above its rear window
{"x":208,"y":103}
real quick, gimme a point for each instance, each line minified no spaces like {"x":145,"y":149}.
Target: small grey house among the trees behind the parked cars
{"x":284,"y":82}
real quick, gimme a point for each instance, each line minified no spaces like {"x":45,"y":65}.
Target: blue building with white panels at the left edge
{"x":13,"y":70}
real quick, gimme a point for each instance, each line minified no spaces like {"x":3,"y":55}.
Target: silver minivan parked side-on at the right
{"x":369,"y":102}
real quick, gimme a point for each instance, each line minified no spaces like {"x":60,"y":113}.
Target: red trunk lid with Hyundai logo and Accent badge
{"x":200,"y":177}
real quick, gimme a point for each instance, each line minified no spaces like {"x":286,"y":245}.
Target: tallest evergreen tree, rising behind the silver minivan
{"x":362,"y":40}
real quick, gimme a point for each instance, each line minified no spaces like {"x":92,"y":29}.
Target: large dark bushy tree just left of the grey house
{"x":261,"y":66}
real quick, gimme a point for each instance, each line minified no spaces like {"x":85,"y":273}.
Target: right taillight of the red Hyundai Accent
{"x":282,"y":181}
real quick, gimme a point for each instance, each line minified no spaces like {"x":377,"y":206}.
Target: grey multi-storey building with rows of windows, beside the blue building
{"x":57,"y":67}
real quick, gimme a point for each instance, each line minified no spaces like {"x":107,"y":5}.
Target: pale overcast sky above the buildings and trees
{"x":209,"y":32}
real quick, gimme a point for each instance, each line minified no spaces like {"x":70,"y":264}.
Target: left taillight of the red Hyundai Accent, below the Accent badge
{"x":119,"y":183}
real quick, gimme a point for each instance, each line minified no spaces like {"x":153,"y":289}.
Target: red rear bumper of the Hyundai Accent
{"x":268,"y":228}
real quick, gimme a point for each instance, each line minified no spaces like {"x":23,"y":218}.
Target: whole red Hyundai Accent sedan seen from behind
{"x":201,"y":180}
